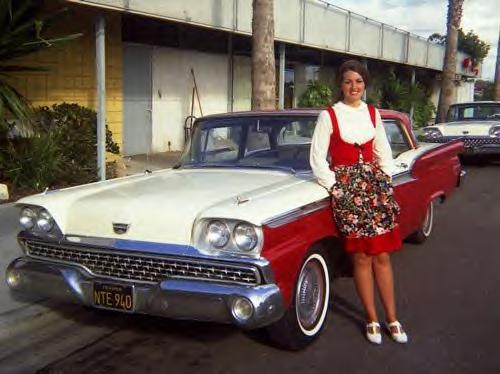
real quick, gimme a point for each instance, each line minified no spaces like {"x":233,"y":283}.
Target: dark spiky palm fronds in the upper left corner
{"x":22,"y":33}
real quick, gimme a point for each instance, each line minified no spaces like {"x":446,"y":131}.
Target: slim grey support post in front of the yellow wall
{"x":101,"y":95}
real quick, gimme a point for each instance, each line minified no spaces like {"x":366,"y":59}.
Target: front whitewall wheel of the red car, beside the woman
{"x":305,"y":317}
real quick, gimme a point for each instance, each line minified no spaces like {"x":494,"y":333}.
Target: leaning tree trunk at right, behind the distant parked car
{"x":447,"y":93}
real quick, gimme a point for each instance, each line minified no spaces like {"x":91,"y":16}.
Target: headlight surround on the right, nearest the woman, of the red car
{"x":202,"y":243}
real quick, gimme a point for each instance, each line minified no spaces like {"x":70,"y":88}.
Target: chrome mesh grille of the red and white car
{"x":139,"y":267}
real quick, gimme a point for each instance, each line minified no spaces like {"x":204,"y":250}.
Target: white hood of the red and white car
{"x":163,"y":206}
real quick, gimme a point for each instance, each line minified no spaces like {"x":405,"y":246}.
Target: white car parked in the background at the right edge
{"x":476,"y":123}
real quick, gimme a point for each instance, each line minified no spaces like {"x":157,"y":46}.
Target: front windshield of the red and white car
{"x":280,"y":143}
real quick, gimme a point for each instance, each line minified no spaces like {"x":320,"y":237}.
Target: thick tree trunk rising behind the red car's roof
{"x":263,"y":60}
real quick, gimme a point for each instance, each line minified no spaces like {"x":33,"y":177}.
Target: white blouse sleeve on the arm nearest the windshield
{"x":319,"y":151}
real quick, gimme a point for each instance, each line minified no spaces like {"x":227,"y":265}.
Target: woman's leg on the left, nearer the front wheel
{"x":363,"y":278}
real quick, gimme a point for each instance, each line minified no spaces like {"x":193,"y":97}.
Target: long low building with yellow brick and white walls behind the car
{"x":167,"y":61}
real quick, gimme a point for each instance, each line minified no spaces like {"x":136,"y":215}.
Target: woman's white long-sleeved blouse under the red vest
{"x":355,"y":126}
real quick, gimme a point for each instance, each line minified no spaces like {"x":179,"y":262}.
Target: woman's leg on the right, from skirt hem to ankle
{"x":382,"y":269}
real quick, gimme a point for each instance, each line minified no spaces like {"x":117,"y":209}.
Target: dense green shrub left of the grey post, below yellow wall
{"x":62,"y":151}
